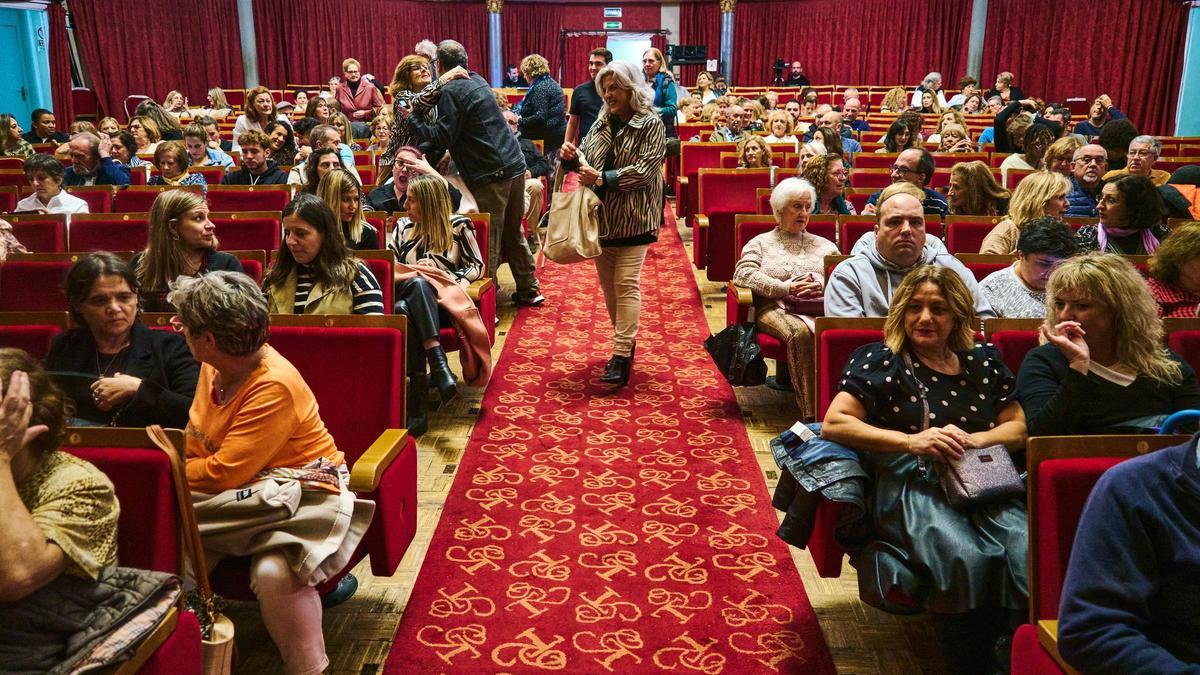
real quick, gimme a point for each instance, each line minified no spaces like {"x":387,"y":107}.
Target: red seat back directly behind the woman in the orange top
{"x":362,"y":393}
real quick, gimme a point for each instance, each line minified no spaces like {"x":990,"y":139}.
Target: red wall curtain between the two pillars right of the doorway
{"x":853,"y":41}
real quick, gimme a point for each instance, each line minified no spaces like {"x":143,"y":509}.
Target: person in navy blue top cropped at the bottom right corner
{"x":1130,"y":598}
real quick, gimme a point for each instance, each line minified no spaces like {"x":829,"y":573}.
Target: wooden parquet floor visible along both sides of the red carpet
{"x":359,"y":632}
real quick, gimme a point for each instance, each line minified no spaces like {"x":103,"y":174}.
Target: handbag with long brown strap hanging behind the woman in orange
{"x":217,"y":634}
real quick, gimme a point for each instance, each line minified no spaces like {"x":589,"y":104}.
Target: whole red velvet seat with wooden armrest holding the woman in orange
{"x":362,"y":401}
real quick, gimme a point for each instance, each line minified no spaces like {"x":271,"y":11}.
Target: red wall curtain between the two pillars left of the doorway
{"x":305,"y":41}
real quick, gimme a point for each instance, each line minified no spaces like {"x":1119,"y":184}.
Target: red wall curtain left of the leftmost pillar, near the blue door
{"x":155,"y":46}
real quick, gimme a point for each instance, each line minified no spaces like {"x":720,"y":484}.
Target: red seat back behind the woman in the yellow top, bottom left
{"x":148,"y":530}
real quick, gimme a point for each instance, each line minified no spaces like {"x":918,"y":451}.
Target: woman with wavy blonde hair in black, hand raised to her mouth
{"x":1103,"y":368}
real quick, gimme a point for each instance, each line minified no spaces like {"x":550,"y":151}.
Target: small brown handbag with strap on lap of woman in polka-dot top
{"x":982,"y":476}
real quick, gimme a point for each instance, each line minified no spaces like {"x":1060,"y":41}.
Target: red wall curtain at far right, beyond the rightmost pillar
{"x":1130,"y":50}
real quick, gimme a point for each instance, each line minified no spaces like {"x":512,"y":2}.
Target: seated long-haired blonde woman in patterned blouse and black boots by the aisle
{"x":431,"y":237}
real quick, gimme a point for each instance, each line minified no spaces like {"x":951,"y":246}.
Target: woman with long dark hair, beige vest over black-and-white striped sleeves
{"x":315,"y":272}
